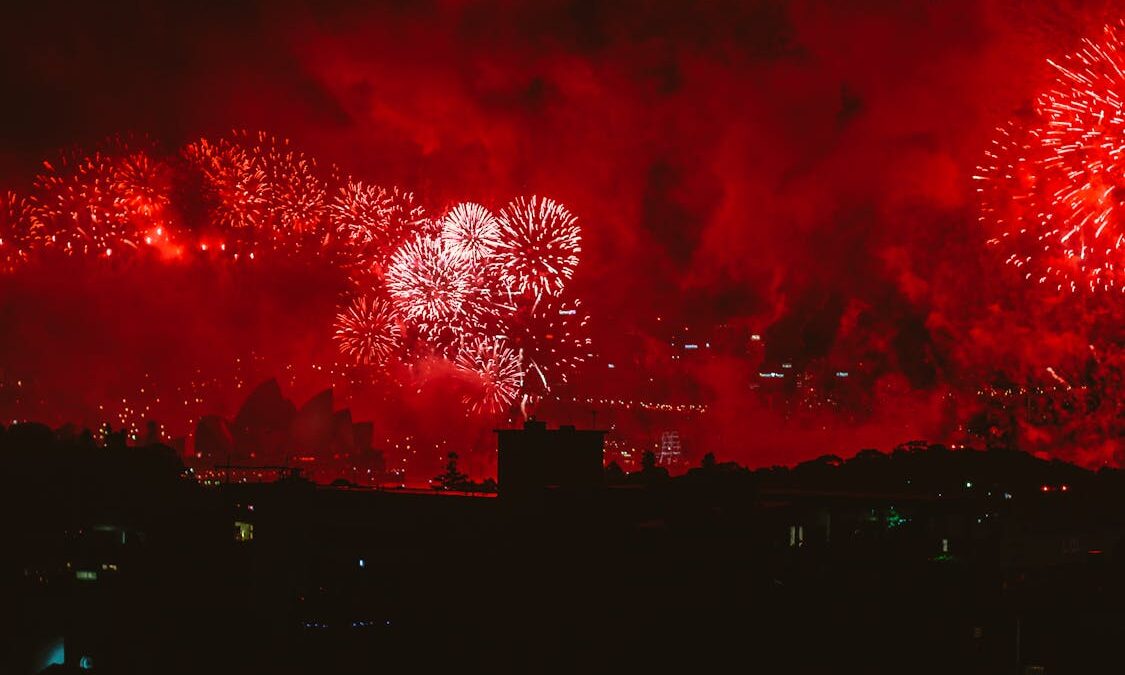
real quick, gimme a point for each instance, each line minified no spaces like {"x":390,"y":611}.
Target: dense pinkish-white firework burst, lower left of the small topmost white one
{"x":430,"y":285}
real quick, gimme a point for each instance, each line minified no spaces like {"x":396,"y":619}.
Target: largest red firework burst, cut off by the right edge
{"x":1052,"y":186}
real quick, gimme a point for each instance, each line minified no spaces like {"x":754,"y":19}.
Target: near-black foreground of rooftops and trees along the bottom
{"x":708,"y":573}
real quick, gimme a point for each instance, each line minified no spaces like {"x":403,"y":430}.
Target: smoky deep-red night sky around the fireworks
{"x":803,"y":169}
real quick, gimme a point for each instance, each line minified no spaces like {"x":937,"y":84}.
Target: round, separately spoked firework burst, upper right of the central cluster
{"x":539,"y":246}
